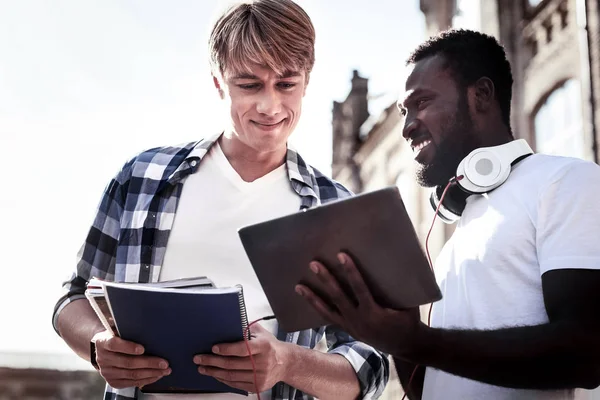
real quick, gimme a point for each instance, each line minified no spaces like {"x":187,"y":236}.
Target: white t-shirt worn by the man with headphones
{"x":544,"y":217}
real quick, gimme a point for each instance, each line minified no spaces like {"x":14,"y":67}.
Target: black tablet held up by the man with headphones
{"x":374,"y":228}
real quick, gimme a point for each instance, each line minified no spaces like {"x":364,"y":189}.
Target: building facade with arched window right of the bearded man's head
{"x":553,"y":46}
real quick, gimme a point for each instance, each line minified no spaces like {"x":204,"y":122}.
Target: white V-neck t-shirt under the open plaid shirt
{"x":214,"y":203}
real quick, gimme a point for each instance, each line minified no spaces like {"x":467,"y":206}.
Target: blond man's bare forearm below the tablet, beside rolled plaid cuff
{"x":326,"y":376}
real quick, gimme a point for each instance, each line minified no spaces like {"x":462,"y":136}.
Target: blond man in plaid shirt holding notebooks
{"x":173,"y":212}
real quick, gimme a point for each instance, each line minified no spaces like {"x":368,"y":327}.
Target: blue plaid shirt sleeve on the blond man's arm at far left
{"x":97,"y":255}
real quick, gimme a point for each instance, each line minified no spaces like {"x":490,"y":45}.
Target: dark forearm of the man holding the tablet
{"x":550,"y":356}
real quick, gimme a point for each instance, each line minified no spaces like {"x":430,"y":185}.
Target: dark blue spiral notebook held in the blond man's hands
{"x":177,"y":324}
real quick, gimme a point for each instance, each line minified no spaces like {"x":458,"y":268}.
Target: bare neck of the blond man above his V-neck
{"x":249,"y":163}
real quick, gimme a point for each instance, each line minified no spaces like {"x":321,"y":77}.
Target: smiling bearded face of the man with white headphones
{"x":437,"y":121}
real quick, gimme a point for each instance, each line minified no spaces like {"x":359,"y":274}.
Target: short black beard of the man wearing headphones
{"x":450,"y":151}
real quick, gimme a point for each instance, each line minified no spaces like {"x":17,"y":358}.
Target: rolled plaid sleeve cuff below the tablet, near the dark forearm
{"x":371,"y":366}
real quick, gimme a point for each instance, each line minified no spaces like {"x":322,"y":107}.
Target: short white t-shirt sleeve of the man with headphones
{"x":568,"y":224}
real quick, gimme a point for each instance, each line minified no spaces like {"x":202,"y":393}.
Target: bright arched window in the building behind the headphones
{"x":559,"y":122}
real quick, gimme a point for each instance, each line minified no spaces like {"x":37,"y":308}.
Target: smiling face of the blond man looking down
{"x":264,"y":107}
